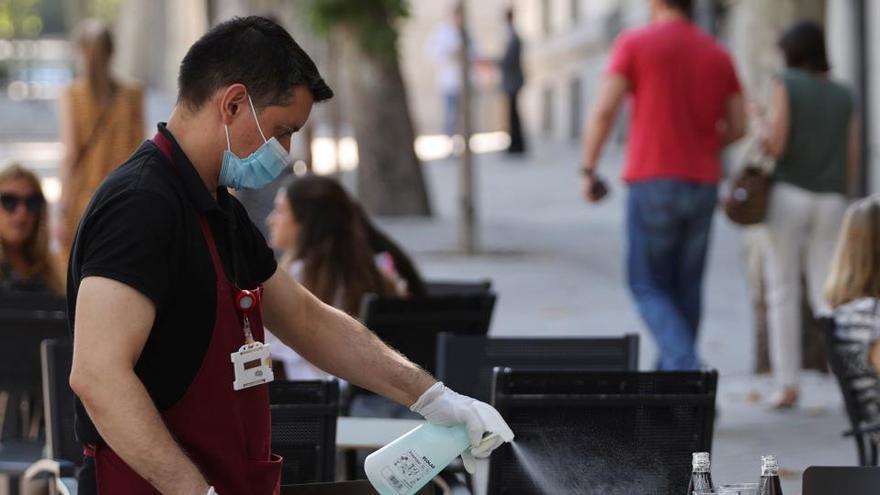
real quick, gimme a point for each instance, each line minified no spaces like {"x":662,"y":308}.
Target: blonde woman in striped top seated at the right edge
{"x":853,"y":290}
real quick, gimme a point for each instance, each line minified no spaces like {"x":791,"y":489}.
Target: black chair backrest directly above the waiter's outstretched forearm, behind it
{"x":411,"y":325}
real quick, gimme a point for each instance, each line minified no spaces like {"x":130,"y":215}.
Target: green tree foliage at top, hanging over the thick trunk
{"x":374,"y":22}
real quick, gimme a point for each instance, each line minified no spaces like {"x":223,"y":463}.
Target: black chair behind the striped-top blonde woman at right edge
{"x":848,"y":365}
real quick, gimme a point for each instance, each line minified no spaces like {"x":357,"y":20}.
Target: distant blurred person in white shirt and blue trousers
{"x":445,"y":48}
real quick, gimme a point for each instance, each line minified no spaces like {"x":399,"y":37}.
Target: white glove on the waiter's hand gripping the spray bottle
{"x":442,"y":406}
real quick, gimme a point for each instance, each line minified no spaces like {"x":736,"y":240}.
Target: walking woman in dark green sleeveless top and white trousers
{"x":812,"y":134}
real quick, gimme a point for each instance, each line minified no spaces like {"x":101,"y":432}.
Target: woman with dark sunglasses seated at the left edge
{"x":25,"y":261}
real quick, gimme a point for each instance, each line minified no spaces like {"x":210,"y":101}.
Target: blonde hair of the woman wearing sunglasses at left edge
{"x":36,"y":246}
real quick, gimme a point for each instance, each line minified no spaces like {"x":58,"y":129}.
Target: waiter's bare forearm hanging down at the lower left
{"x":128,"y":421}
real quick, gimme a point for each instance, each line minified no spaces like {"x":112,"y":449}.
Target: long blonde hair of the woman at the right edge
{"x":855,"y":268}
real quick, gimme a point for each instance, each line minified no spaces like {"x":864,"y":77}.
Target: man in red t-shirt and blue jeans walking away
{"x":687,"y":105}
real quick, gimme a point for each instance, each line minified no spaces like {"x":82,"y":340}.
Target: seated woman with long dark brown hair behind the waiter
{"x":319,"y":231}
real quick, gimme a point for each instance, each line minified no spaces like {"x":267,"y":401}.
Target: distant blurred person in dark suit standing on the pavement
{"x":512,"y":81}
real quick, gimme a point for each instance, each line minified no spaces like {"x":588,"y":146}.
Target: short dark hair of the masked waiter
{"x":253,"y":51}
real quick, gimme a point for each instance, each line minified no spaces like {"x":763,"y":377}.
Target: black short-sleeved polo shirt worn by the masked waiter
{"x":142,"y":229}
